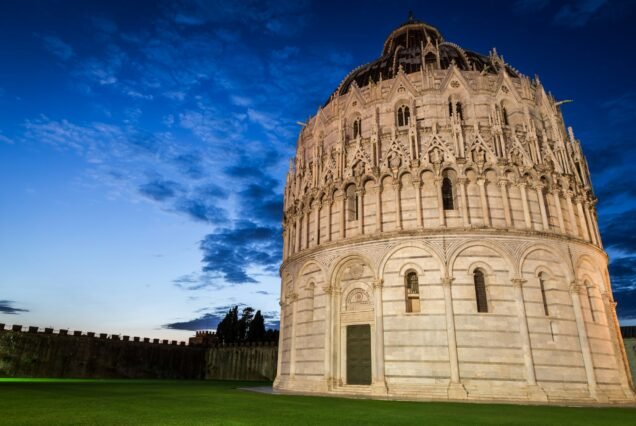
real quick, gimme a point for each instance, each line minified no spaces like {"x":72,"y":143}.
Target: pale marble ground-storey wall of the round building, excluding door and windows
{"x":564,"y":346}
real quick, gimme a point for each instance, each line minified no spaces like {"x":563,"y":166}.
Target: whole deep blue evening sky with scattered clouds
{"x":143,"y":145}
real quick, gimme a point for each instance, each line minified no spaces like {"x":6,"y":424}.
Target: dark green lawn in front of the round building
{"x":104,"y":402}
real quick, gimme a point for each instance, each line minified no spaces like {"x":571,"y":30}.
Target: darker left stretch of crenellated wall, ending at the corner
{"x":48,"y":354}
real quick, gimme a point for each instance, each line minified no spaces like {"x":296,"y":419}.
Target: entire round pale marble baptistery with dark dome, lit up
{"x":441,"y":239}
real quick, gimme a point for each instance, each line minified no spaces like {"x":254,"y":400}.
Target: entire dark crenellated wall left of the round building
{"x":36,"y":353}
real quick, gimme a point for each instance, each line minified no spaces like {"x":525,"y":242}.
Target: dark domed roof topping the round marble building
{"x":410,"y":46}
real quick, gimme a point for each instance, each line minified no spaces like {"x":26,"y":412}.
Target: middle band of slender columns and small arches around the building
{"x":496,"y":197}
